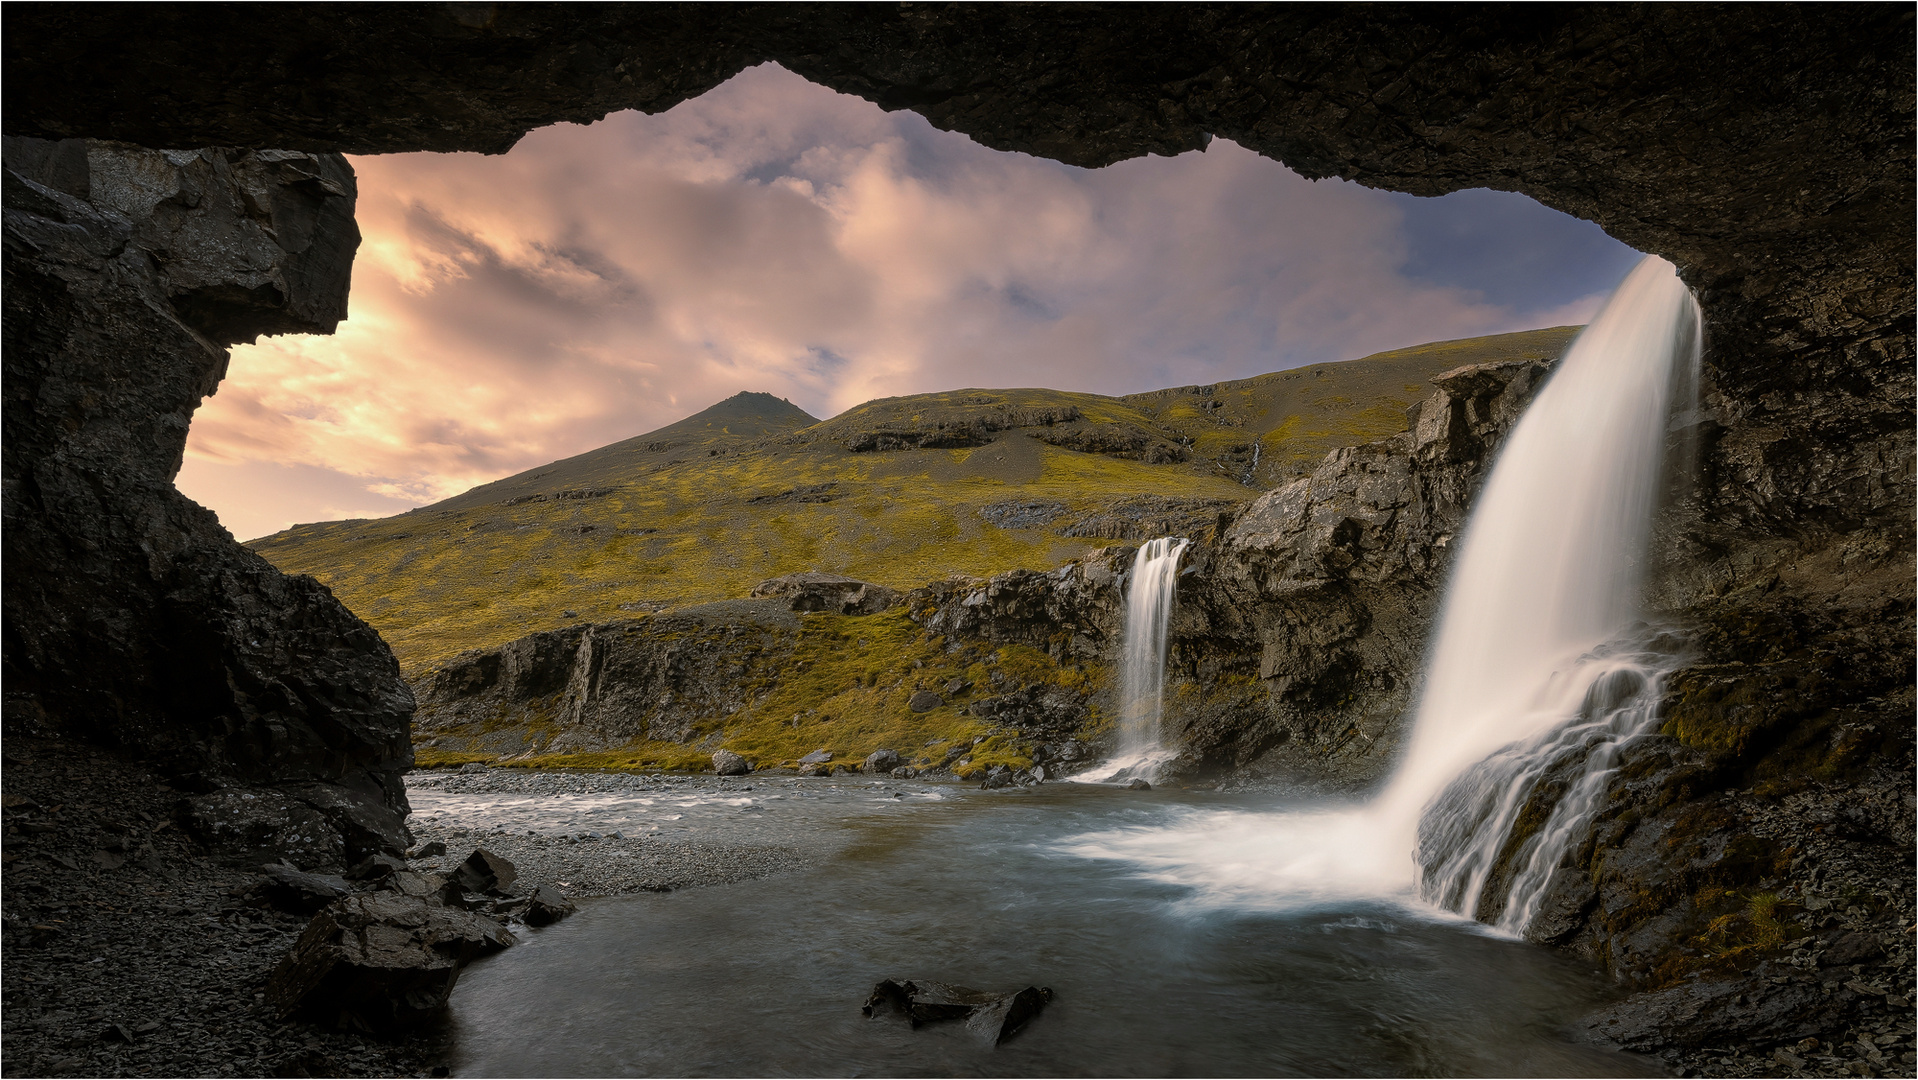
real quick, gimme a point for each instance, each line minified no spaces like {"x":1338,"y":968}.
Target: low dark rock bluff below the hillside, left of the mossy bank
{"x":609,"y":684}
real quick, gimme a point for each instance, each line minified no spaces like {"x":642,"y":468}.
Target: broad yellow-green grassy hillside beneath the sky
{"x":897,"y":492}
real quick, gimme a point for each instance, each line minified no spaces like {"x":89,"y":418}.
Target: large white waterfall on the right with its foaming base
{"x":1539,"y":669}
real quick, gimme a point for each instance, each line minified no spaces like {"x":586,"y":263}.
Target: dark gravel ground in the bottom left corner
{"x":139,"y":962}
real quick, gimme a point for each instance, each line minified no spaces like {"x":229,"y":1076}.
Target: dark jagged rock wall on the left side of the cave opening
{"x":131,"y":617}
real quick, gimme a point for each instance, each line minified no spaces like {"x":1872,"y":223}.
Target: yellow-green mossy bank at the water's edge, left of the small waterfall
{"x":847,"y":690}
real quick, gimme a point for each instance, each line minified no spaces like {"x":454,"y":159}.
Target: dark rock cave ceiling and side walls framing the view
{"x":1764,"y":151}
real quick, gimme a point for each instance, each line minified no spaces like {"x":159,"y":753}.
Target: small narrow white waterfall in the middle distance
{"x":1150,"y":594}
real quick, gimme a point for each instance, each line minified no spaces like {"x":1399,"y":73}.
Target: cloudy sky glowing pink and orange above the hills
{"x":603,"y":281}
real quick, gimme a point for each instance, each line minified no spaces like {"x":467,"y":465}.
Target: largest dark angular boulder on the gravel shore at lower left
{"x":381,"y":962}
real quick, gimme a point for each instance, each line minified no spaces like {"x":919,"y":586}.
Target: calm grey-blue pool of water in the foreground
{"x":996,"y":891}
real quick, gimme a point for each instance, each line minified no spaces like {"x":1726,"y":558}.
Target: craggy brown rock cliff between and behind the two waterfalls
{"x":1303,"y":619}
